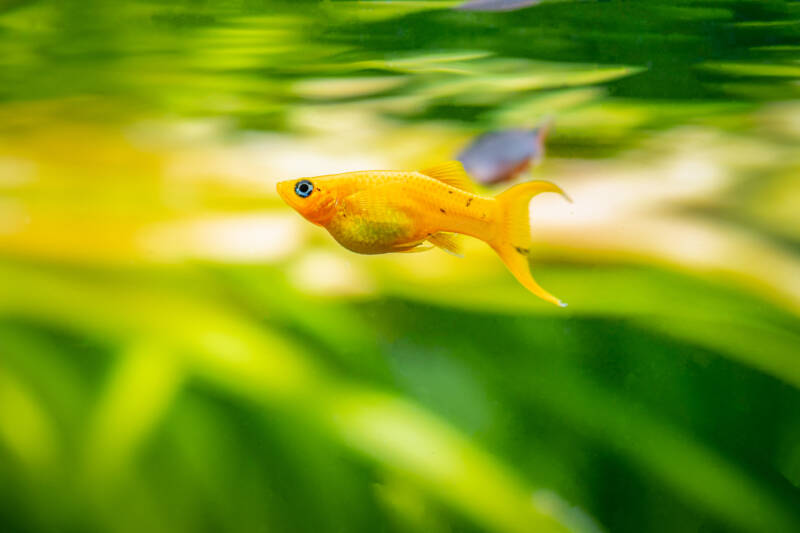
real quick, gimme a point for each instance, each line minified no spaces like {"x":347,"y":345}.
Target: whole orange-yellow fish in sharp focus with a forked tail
{"x":381,"y":211}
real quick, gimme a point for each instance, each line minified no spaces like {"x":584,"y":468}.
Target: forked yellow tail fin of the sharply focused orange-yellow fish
{"x":513,"y":238}
